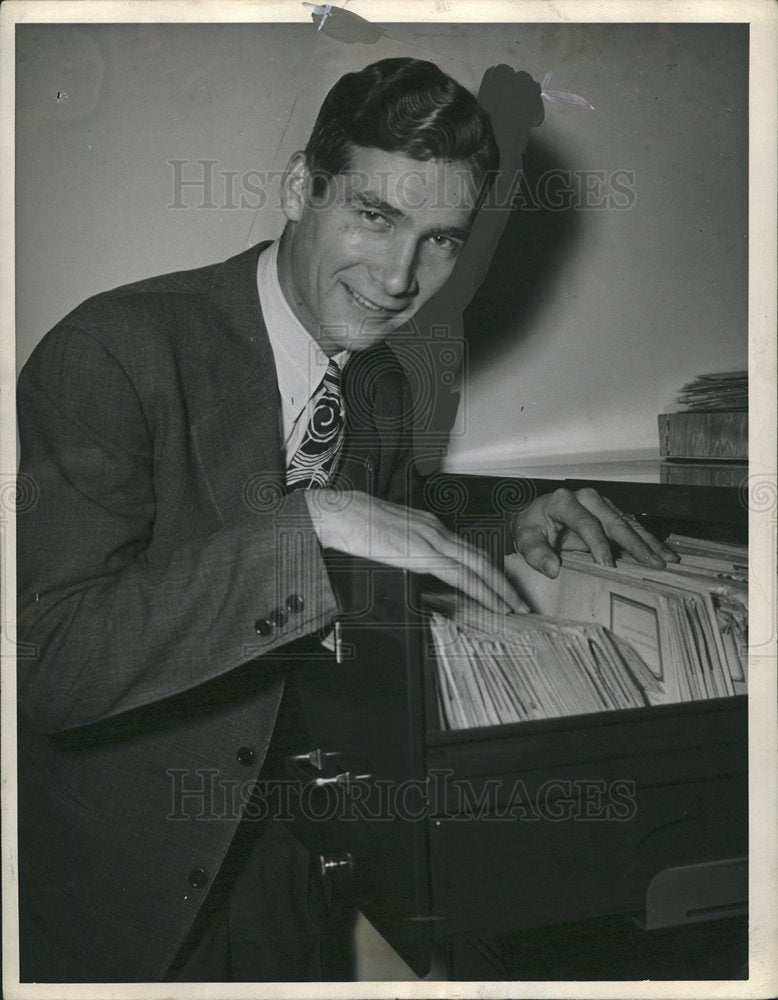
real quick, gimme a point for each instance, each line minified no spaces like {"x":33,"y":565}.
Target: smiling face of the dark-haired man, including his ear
{"x":380,"y":242}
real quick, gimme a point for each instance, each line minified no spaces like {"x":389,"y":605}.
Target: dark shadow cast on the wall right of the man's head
{"x":528,"y":263}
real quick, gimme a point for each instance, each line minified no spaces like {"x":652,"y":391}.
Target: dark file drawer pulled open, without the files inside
{"x":506,"y":827}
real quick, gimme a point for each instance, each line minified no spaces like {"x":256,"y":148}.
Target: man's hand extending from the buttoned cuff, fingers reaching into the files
{"x":362,"y":525}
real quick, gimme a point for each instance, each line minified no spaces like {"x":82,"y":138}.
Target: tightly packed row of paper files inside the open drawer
{"x":598,"y":638}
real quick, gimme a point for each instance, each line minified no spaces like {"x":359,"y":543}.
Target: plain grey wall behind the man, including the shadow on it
{"x":593,"y":315}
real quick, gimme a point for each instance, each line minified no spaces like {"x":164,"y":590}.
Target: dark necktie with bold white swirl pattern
{"x":315,"y":459}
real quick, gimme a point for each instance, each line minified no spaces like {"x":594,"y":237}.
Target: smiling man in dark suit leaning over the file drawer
{"x":198,"y":441}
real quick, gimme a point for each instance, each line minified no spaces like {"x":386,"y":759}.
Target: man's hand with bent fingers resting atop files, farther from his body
{"x":585,"y":521}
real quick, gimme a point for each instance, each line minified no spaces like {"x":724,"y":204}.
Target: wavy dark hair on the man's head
{"x":406,"y":106}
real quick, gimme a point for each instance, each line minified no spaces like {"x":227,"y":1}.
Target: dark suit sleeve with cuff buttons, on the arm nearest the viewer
{"x":113,"y":628}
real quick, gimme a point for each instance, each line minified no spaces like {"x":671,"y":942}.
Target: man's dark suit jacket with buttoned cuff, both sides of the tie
{"x":163,"y":572}
